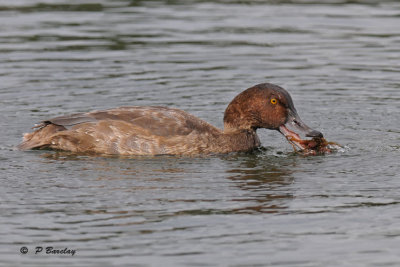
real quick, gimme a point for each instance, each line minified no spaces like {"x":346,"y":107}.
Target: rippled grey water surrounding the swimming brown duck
{"x":340,"y":61}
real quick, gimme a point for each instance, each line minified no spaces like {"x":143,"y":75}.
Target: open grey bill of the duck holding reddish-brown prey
{"x":295,"y":128}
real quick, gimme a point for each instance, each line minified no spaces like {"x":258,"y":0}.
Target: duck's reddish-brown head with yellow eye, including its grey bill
{"x":267,"y":106}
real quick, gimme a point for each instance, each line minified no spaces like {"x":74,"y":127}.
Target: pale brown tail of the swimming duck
{"x":40,"y":138}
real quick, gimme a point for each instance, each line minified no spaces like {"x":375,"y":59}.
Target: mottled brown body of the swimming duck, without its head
{"x":137,"y":131}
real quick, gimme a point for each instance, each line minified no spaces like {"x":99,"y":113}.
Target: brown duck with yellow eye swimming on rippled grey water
{"x":158,"y":130}
